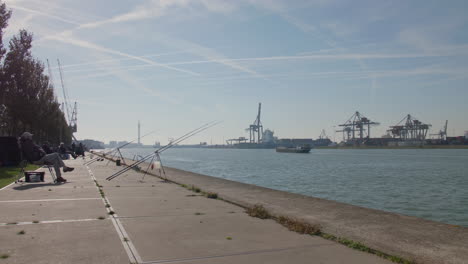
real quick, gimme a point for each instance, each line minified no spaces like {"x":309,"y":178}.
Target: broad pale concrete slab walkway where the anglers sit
{"x":154,"y":222}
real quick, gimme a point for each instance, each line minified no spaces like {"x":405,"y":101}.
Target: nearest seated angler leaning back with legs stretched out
{"x":36,"y":155}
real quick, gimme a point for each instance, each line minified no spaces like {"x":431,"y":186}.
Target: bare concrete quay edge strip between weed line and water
{"x":412,"y":238}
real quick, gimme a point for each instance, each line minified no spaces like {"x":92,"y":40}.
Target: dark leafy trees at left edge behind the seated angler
{"x":28,"y":101}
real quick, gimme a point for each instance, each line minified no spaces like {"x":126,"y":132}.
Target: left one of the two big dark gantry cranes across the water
{"x":357,"y":127}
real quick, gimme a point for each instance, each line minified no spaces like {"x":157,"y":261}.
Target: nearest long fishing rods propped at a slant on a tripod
{"x":158,"y":151}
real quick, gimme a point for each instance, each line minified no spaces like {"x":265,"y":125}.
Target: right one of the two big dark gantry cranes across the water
{"x":409,"y":128}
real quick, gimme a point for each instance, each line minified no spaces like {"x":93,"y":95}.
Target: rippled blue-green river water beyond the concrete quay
{"x":427,"y":183}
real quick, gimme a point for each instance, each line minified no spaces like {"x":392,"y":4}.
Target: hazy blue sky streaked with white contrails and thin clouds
{"x":175,"y":65}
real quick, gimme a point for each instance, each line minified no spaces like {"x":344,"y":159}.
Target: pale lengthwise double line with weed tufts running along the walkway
{"x":130,"y":249}
